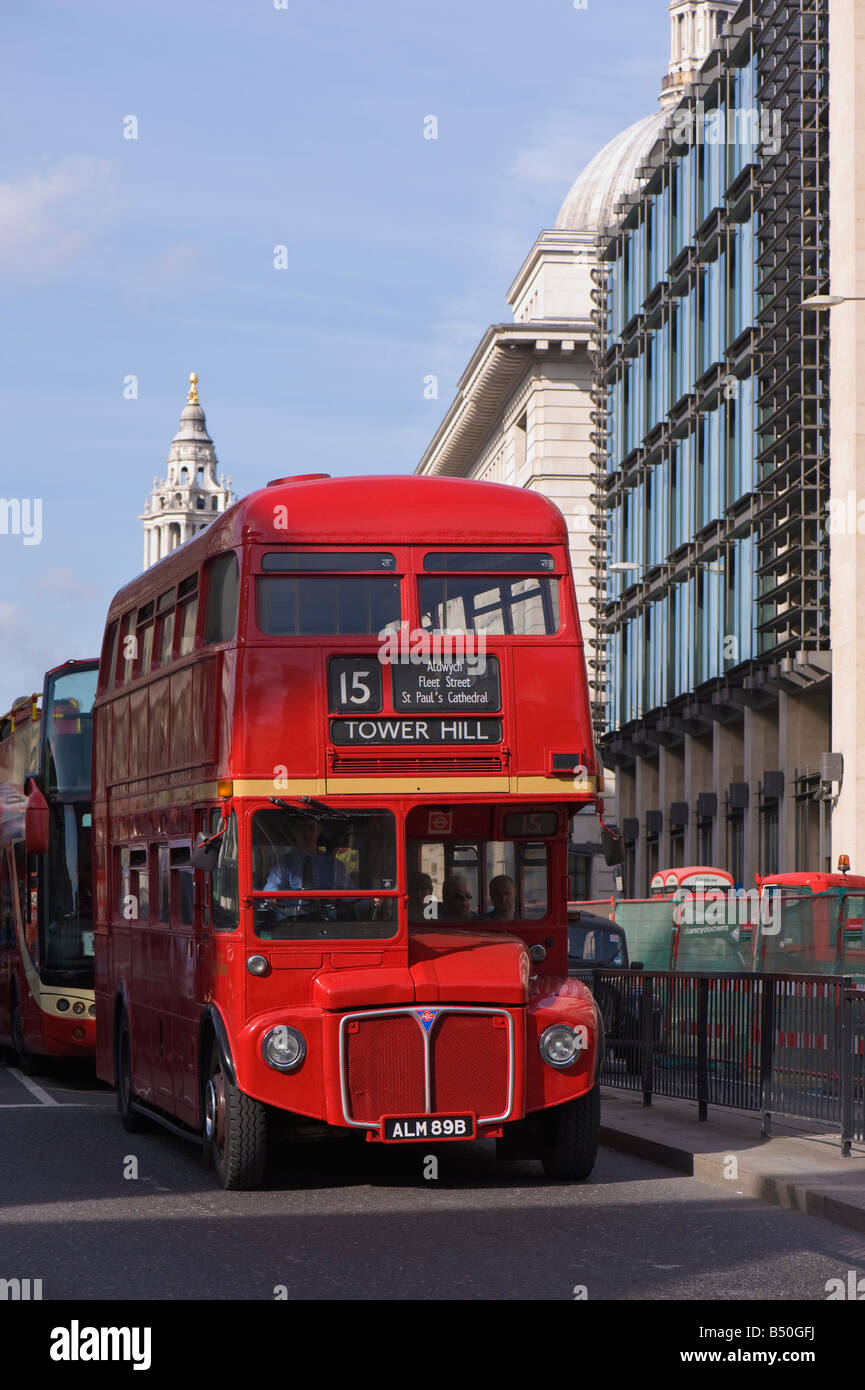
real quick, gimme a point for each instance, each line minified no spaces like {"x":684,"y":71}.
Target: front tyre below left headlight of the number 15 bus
{"x":236,"y":1129}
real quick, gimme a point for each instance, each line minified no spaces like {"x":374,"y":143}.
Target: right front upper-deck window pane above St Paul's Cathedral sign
{"x":500,"y":607}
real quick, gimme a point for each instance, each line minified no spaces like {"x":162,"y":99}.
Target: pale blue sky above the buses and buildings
{"x":262,"y":124}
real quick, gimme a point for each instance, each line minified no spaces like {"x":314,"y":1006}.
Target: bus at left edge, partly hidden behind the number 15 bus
{"x":47,"y":910}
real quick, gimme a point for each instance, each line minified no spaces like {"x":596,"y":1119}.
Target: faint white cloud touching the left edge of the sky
{"x":49,"y":216}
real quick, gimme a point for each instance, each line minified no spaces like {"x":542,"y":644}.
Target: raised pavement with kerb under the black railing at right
{"x":799,"y":1168}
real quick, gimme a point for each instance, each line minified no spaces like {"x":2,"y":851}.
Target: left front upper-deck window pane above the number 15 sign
{"x":300,"y":607}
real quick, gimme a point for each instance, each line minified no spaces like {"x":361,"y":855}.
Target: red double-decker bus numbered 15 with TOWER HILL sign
{"x":340,"y":737}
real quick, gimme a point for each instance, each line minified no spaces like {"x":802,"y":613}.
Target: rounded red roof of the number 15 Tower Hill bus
{"x":365,"y":511}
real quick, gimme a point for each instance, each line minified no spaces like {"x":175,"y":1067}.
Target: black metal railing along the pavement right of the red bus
{"x":785,"y":1045}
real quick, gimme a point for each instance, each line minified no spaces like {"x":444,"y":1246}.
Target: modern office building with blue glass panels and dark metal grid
{"x":713,"y":464}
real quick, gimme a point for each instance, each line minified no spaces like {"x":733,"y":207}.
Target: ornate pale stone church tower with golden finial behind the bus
{"x":190,"y":497}
